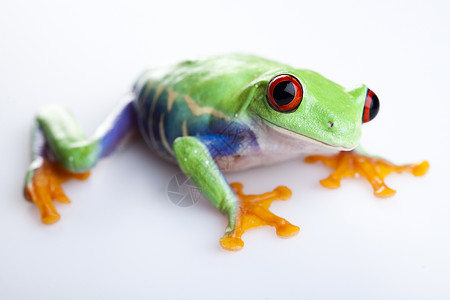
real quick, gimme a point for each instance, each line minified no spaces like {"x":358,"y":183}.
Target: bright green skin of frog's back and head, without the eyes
{"x":237,"y":84}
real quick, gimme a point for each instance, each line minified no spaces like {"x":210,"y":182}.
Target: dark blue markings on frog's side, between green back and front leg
{"x":222,"y":137}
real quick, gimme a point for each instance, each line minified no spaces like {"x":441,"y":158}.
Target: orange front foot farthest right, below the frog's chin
{"x":349,"y":164}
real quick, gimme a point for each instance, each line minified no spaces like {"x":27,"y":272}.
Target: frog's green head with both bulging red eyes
{"x":305,"y":105}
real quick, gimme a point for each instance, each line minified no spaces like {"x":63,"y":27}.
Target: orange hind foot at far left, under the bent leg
{"x":45,"y":185}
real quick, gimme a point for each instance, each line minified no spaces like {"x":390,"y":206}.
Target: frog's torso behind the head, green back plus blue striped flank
{"x":197,"y":97}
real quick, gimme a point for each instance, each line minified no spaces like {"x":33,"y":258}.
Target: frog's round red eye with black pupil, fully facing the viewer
{"x":284,"y":93}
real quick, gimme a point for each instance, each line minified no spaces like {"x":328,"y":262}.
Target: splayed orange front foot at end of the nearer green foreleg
{"x":254,"y":212}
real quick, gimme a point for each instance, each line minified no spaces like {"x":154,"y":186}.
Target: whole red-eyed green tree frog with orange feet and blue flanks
{"x":215,"y":115}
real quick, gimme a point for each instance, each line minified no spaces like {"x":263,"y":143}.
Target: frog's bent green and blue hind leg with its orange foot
{"x":60,"y":151}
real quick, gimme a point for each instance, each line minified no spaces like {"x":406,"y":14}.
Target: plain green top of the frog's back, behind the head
{"x":213,"y":81}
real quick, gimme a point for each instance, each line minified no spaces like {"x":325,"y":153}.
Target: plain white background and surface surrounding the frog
{"x":121,"y":238}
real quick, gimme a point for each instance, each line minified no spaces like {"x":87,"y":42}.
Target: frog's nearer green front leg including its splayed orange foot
{"x":243,"y":211}
